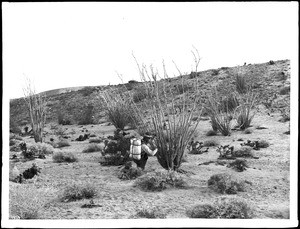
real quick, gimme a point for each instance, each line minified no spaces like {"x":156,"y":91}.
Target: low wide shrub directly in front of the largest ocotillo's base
{"x":160,"y":180}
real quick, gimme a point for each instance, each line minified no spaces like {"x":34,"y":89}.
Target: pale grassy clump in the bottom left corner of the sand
{"x":23,"y":204}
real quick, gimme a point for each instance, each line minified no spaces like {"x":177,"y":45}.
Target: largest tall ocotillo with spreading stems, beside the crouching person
{"x":173,"y":128}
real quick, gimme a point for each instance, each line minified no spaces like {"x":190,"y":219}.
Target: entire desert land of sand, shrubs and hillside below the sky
{"x":236,"y":167}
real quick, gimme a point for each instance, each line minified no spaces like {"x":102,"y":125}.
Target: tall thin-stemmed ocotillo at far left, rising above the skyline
{"x":36,"y":105}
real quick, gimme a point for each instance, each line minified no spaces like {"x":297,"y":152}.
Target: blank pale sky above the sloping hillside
{"x":60,"y":45}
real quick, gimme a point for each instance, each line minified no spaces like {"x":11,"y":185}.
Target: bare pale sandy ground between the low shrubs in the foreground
{"x":268,"y":194}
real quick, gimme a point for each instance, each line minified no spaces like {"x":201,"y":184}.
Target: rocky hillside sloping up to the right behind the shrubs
{"x":270,"y":80}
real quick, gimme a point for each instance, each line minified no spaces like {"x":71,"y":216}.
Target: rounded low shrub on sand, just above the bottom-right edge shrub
{"x":224,"y":183}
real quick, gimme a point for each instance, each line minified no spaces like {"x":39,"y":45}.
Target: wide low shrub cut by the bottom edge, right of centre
{"x":224,"y":208}
